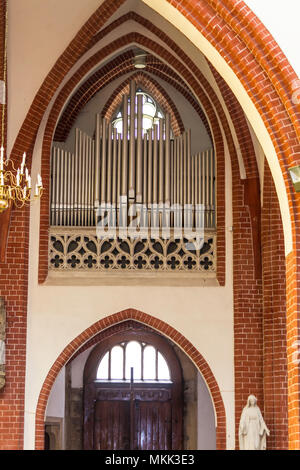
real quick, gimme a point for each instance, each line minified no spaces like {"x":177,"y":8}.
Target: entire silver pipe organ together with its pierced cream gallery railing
{"x":136,"y":185}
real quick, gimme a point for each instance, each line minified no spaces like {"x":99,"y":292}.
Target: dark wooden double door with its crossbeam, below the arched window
{"x":144,"y":418}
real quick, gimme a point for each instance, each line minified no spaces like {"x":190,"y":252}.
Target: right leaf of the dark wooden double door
{"x":153,"y":425}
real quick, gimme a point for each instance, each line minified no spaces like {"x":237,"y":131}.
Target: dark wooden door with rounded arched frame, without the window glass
{"x":141,"y":415}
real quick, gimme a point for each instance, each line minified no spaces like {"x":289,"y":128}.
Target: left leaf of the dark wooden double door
{"x":112,"y":425}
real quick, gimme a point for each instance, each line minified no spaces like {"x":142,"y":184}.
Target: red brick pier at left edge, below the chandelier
{"x":13,"y":288}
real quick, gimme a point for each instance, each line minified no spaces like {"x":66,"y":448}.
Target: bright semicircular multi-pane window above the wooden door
{"x":147,"y":362}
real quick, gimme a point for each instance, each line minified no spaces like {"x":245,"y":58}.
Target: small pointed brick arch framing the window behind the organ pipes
{"x":155,"y":89}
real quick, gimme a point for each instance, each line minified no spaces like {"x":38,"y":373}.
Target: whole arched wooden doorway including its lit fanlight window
{"x":133,"y":394}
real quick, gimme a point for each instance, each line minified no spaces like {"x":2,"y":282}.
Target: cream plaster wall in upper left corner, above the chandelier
{"x":37,"y":34}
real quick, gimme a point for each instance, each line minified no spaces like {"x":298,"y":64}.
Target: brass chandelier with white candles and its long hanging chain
{"x":15,"y":184}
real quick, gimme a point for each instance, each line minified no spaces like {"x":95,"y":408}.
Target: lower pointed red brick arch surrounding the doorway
{"x":154,"y":323}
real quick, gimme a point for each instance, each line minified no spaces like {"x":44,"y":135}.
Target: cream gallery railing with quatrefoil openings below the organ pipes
{"x":73,"y":249}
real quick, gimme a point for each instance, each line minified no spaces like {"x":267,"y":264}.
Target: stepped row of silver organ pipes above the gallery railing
{"x":112,"y":173}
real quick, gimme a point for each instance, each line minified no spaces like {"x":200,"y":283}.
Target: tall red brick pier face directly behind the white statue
{"x":247,"y":295}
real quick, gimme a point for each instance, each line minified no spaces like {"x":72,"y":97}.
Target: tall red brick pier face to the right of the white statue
{"x":274,"y":298}
